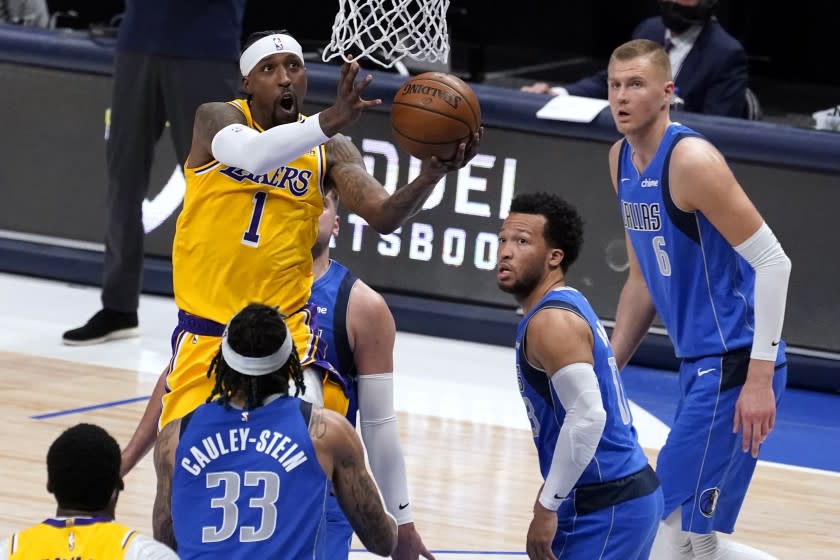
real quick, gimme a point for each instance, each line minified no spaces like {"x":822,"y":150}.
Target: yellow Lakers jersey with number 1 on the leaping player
{"x":244,"y":238}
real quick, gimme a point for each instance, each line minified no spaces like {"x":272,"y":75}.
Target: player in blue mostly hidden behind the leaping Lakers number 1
{"x":358,"y":332}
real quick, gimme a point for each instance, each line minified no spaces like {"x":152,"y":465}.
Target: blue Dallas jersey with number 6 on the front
{"x":701,"y":287}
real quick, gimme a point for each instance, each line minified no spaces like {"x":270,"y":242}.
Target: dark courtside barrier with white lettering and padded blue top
{"x":437,"y":270}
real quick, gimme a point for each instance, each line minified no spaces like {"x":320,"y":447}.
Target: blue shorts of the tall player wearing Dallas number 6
{"x":701,"y":466}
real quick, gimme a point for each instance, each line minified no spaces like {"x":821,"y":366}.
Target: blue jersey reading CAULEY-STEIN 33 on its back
{"x":247,"y":484}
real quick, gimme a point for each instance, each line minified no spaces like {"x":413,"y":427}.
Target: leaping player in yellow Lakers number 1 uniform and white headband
{"x":254,"y":176}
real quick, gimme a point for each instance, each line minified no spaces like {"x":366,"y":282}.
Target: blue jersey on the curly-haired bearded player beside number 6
{"x":618,"y":453}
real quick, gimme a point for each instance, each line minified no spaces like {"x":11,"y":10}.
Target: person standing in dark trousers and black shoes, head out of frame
{"x":171,"y":58}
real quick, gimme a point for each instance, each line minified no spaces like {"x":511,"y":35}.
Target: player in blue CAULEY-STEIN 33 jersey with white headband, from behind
{"x":247,"y":475}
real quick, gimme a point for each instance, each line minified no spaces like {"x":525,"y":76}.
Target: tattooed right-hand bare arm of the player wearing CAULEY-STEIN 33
{"x":341,"y":455}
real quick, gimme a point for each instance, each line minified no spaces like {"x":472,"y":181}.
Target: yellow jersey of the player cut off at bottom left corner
{"x":74,"y":538}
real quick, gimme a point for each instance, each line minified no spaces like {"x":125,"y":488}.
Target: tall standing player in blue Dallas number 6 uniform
{"x":702,"y":257}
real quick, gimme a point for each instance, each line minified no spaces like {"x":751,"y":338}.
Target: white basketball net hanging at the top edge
{"x":386,"y":31}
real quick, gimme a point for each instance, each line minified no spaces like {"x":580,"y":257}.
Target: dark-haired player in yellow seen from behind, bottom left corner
{"x":83,"y":467}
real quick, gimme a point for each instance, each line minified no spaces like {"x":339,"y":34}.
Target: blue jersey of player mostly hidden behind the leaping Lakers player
{"x":330,"y":295}
